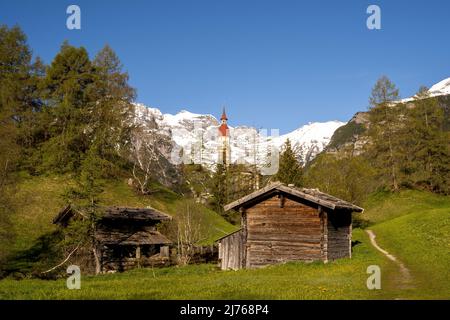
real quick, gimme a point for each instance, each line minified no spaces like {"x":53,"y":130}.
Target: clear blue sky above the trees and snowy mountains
{"x":273,"y":64}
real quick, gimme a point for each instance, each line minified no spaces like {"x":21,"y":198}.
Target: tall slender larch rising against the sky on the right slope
{"x":384,"y":127}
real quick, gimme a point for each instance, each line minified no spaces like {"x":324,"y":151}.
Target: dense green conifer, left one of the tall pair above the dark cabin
{"x":68,"y":90}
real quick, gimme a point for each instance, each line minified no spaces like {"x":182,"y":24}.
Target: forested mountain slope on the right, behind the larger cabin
{"x":394,"y":145}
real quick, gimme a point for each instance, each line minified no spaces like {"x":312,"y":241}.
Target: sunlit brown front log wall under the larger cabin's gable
{"x":280,"y":230}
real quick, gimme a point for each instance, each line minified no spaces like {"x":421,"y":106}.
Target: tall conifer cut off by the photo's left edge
{"x":15,"y":57}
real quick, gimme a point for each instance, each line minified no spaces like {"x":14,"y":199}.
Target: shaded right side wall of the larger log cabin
{"x":339,"y":235}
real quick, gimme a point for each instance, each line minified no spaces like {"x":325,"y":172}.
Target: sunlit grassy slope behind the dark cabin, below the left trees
{"x":40,"y":198}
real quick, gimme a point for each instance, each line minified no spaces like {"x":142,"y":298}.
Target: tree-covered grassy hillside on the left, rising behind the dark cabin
{"x":69,"y":137}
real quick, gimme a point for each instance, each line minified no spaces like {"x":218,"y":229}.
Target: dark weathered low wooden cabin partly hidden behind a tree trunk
{"x":124,"y":237}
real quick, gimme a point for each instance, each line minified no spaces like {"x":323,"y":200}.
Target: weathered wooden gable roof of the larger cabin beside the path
{"x":312,"y":195}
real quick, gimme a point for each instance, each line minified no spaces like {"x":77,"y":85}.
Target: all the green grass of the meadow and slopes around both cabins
{"x":414,"y":226}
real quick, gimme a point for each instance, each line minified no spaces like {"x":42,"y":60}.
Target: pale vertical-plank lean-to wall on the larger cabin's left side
{"x":231,"y":251}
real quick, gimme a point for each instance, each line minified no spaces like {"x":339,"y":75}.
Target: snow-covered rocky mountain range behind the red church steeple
{"x":194,"y":138}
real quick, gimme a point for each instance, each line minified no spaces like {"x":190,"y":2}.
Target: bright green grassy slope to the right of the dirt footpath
{"x":415,"y":227}
